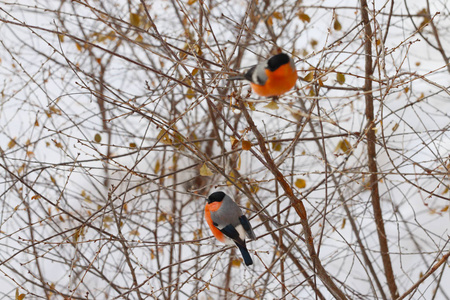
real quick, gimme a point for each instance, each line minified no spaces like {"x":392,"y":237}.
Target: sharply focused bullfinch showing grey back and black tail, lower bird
{"x":228,"y":224}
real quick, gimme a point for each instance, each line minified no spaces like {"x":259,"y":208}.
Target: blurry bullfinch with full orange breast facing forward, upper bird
{"x":273,"y":77}
